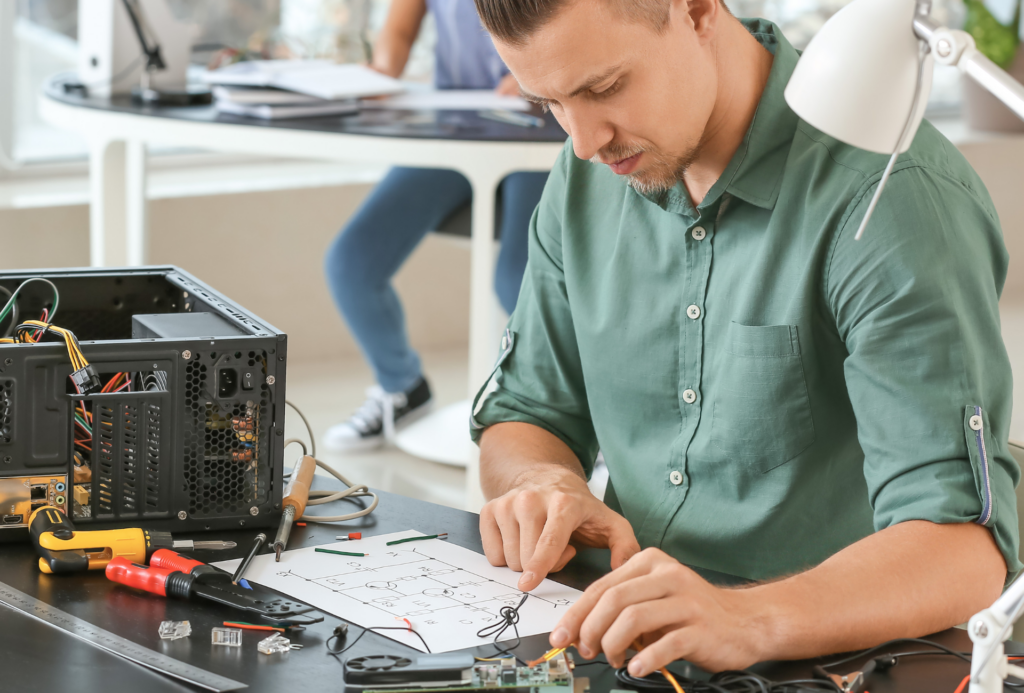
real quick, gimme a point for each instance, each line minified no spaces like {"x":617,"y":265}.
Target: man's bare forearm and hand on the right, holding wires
{"x":907,"y":581}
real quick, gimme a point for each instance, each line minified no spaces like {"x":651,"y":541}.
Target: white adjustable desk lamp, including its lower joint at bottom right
{"x":865,"y":80}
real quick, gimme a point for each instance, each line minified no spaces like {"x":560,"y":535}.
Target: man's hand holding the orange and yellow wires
{"x":669,"y":610}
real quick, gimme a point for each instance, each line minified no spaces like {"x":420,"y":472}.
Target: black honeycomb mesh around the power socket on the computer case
{"x":227,"y":466}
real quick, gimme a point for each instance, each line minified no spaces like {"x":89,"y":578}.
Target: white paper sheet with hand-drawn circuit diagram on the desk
{"x":445,"y":592}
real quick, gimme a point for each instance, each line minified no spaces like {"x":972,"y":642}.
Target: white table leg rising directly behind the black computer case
{"x":107,"y":204}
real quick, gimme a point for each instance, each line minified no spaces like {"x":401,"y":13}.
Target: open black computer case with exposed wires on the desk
{"x":177,"y":424}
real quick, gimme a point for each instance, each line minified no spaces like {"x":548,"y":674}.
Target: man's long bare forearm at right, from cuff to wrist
{"x":908,"y":581}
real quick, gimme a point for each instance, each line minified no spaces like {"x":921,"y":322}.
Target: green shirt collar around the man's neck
{"x":755,"y":174}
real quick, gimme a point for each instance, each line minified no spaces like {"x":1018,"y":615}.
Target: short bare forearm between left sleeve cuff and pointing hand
{"x":514,"y":453}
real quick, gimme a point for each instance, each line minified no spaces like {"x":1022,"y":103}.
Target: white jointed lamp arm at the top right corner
{"x":958,"y":49}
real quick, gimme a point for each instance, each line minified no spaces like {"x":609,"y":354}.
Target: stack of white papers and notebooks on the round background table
{"x":275,"y":90}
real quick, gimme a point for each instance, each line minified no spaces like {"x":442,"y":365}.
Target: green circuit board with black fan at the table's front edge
{"x":450,"y":672}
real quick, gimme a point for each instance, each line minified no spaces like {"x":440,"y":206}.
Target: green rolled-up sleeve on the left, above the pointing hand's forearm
{"x":539,"y":376}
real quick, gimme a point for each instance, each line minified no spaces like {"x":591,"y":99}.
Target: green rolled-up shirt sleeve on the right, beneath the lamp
{"x":917,"y":305}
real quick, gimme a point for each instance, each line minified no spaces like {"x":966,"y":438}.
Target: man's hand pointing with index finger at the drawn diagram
{"x":529,"y":529}
